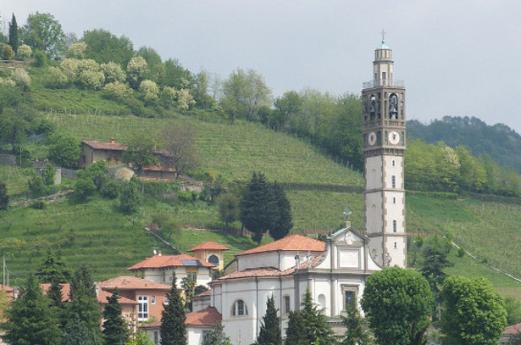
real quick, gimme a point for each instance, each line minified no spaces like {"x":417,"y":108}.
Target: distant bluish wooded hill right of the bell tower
{"x":499,"y":142}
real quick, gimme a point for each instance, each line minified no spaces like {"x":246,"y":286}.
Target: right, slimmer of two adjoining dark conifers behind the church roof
{"x":282,"y":221}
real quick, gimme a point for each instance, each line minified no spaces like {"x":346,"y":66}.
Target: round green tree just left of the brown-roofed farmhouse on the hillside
{"x":64,"y":150}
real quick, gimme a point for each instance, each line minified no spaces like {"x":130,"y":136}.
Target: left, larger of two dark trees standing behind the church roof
{"x":257,"y":206}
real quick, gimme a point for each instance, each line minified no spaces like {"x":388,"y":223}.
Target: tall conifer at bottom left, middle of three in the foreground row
{"x":83,"y":308}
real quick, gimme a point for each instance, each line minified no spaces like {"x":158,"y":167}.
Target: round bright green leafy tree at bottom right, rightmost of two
{"x":468,"y":305}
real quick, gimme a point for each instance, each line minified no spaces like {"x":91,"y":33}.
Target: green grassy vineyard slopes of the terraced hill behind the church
{"x":234,"y":151}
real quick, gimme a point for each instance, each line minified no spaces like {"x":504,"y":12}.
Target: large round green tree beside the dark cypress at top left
{"x":45,"y":33}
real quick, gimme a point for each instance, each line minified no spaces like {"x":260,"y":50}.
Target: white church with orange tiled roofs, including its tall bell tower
{"x":334,"y":271}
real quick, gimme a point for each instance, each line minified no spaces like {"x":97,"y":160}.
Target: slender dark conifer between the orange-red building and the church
{"x":173,"y":329}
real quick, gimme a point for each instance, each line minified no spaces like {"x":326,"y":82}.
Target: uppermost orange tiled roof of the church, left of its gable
{"x":289,"y":243}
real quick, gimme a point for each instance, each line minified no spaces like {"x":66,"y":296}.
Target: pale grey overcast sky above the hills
{"x":457,"y":57}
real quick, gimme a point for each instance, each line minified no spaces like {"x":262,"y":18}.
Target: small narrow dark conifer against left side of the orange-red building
{"x":115,"y":329}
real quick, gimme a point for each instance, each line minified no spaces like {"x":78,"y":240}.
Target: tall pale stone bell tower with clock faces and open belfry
{"x":384,"y":147}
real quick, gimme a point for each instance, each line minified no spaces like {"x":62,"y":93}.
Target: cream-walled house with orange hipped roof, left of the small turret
{"x":161,"y":268}
